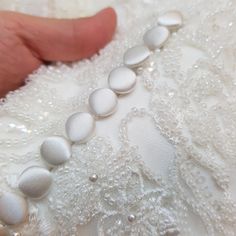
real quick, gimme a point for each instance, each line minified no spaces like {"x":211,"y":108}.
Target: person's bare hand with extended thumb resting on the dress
{"x":27,"y":42}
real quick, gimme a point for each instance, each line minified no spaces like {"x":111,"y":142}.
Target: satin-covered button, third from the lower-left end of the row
{"x":55,"y":150}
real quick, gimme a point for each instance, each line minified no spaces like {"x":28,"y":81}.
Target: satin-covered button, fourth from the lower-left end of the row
{"x":80,"y":127}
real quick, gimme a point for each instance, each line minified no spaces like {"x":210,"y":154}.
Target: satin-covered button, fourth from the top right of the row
{"x":122,"y":80}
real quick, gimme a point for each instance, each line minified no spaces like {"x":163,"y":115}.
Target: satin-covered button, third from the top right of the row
{"x":135,"y":56}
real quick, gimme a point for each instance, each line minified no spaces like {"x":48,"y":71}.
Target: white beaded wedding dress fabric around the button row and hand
{"x":165,"y":161}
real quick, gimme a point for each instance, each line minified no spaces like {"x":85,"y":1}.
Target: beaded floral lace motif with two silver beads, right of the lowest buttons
{"x":123,"y":190}
